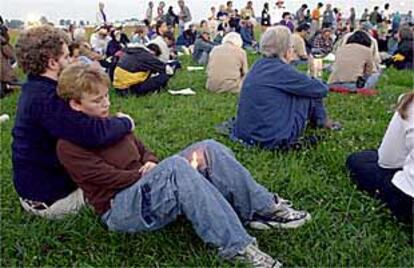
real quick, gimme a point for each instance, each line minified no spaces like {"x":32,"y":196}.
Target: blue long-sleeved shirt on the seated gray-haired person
{"x":274,"y":103}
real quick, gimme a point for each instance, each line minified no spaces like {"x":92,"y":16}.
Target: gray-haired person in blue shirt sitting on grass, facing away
{"x":277,"y":101}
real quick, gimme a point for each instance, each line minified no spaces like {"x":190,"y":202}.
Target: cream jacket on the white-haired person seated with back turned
{"x":226,"y":68}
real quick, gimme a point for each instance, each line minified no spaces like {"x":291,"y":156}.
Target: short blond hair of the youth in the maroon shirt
{"x":80,"y":78}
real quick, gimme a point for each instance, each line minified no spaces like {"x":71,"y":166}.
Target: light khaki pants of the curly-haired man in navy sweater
{"x":61,"y":208}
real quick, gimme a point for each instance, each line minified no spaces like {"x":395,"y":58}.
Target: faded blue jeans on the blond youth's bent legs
{"x":216,"y":198}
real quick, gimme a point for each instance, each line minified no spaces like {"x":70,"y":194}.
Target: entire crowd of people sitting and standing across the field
{"x":68,"y":150}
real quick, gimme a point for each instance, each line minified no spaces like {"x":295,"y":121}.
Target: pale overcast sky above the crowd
{"x":123,"y":9}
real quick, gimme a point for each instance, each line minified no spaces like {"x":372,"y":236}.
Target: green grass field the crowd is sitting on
{"x":348,"y":227}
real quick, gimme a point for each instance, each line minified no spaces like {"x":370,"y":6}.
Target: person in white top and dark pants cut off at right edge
{"x":388,"y":173}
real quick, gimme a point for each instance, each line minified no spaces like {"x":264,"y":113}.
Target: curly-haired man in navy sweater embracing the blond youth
{"x":44,"y":187}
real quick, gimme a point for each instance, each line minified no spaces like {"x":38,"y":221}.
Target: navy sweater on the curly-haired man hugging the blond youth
{"x":42,"y":118}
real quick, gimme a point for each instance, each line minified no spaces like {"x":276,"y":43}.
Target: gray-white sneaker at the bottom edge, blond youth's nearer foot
{"x":256,"y":258}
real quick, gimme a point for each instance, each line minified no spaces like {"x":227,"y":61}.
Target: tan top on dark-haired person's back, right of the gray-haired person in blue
{"x":351,"y":62}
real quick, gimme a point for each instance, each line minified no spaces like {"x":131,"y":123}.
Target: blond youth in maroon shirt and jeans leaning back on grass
{"x":133,"y":192}
